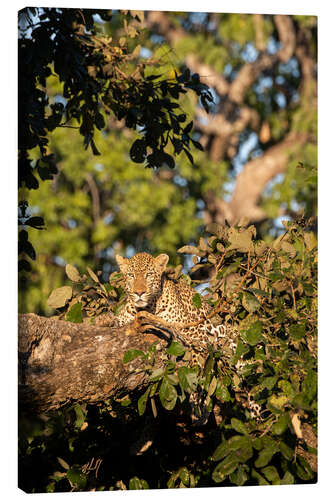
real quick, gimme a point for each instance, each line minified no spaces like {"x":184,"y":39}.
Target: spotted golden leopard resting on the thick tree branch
{"x":149,"y":288}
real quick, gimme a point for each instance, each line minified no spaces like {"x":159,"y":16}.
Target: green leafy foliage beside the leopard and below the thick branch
{"x":272,"y":371}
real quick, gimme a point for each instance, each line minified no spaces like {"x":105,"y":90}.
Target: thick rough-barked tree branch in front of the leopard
{"x":62,"y":362}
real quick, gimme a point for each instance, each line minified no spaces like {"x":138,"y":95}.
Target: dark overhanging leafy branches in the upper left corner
{"x":97,"y":80}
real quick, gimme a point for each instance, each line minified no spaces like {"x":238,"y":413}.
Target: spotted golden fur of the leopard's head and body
{"x":149,"y":289}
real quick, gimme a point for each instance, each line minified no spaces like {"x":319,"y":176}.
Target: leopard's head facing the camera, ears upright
{"x":143,"y":277}
